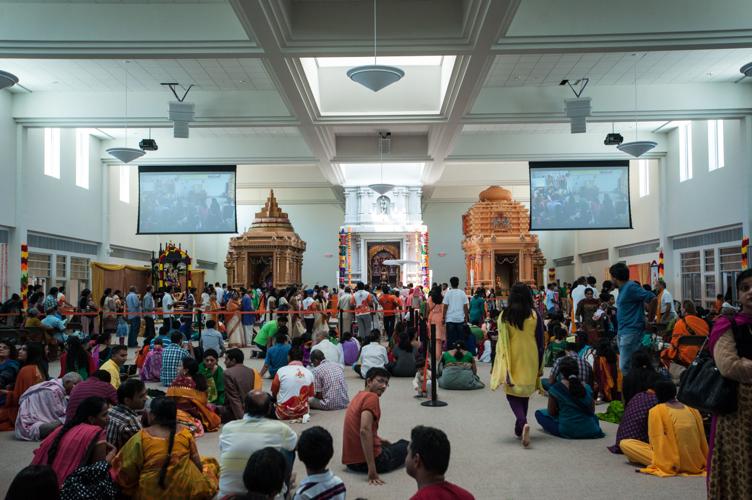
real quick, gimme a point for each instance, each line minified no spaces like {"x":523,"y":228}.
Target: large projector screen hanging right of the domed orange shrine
{"x":579,"y":195}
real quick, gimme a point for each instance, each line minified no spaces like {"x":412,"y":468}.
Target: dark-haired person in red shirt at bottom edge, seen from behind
{"x":427,"y":461}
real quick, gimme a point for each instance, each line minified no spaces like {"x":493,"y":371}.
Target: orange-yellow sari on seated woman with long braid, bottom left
{"x":137,"y":466}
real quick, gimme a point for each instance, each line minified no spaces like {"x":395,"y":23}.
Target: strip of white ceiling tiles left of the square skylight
{"x":61,"y":75}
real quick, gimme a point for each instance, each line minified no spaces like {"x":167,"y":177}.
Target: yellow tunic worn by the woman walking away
{"x":517,"y":366}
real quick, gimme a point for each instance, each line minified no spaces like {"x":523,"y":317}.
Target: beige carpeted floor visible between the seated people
{"x":486,"y":457}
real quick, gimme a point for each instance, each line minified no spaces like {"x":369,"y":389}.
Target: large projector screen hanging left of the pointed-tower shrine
{"x":186,"y":199}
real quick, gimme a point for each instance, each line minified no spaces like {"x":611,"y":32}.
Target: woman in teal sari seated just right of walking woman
{"x":571,"y":408}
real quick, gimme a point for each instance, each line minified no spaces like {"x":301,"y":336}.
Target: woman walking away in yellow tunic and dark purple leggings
{"x":518,"y":363}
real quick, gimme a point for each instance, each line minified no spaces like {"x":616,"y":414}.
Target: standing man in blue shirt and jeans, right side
{"x":630,"y":314}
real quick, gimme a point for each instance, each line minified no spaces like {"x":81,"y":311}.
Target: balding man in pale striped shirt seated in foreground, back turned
{"x":255,"y":431}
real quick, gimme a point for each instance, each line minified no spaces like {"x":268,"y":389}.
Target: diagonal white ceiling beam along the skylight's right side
{"x":469,"y":75}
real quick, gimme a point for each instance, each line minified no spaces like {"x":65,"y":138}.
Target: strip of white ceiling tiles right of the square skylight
{"x":617,"y":68}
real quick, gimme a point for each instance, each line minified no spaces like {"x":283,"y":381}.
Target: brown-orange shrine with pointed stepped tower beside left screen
{"x":270,"y":253}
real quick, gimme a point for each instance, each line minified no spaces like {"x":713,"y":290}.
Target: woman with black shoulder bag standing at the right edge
{"x":730,"y":457}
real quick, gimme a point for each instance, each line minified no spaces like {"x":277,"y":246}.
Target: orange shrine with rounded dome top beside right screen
{"x":499,"y":248}
